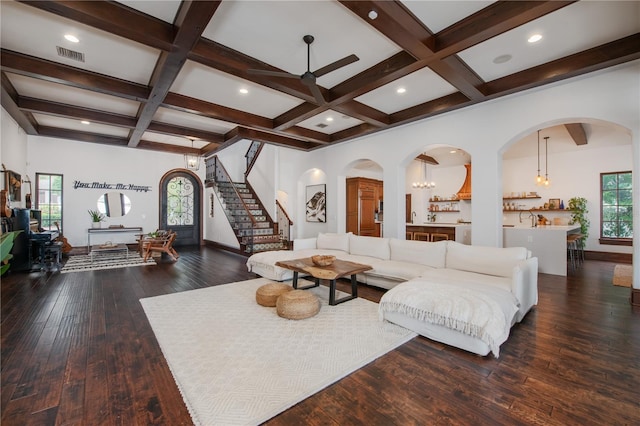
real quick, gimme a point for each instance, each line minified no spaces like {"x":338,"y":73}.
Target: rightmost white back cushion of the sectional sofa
{"x":494,"y":261}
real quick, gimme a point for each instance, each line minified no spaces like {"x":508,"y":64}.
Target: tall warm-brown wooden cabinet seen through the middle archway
{"x":364,"y":199}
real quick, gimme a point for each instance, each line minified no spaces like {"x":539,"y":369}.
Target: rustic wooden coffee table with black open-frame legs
{"x":338,"y":269}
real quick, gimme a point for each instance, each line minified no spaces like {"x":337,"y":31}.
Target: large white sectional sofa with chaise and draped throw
{"x":464,"y":296}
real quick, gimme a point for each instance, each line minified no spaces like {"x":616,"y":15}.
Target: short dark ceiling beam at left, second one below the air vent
{"x":73,"y":112}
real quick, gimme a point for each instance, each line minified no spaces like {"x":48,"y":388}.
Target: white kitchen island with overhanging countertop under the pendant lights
{"x":547,"y":242}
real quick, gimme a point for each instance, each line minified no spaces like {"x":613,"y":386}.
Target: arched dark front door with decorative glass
{"x":180,"y":206}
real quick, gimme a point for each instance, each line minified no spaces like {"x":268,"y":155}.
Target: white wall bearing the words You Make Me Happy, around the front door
{"x":89,"y":162}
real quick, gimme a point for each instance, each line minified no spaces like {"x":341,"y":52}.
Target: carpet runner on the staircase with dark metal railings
{"x":264,"y":236}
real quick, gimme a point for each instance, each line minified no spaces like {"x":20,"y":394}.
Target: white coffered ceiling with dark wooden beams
{"x":158,"y":74}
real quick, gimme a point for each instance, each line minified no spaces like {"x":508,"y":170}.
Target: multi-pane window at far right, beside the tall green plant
{"x":616,"y":223}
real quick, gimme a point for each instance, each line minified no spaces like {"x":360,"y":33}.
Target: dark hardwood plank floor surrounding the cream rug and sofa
{"x":77,"y":350}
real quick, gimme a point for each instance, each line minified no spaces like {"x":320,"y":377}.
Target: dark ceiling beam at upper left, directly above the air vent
{"x":113,"y":18}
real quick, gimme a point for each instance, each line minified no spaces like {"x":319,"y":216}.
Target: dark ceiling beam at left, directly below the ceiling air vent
{"x":30,"y":66}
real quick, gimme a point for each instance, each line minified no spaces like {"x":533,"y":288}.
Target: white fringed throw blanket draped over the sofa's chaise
{"x":479,"y":311}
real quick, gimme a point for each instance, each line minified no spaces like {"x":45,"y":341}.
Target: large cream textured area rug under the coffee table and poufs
{"x":238,"y":363}
